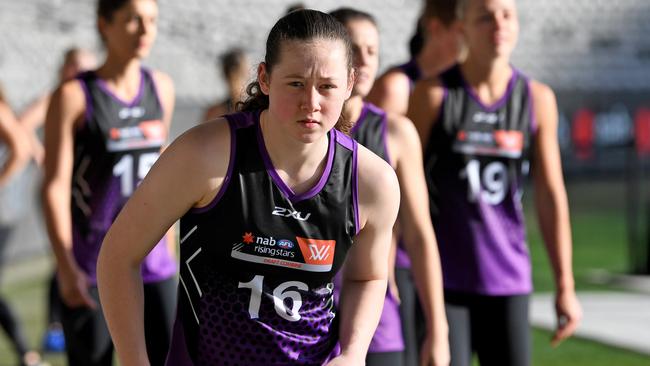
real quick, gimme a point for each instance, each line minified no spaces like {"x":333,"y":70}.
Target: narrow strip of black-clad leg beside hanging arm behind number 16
{"x":407,"y":314}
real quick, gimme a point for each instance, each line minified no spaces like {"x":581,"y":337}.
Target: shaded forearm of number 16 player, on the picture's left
{"x":121,"y":295}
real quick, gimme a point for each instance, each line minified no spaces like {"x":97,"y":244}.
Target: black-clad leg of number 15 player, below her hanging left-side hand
{"x":88,"y":342}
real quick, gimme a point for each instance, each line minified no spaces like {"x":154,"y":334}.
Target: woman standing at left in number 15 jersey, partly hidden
{"x":103,"y":131}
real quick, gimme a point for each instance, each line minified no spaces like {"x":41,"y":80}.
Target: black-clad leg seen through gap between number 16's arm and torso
{"x":159,"y":307}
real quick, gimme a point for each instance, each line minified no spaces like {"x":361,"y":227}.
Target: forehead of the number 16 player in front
{"x":320,"y":57}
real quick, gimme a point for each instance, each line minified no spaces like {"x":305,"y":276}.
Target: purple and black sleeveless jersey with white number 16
{"x":258,"y":261}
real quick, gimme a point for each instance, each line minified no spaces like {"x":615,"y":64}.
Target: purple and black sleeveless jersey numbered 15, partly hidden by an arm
{"x":113,"y":151}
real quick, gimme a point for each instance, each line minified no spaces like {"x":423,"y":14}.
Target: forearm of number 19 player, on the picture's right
{"x":553,"y":214}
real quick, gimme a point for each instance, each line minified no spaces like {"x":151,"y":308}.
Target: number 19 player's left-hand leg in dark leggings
{"x":460,"y":333}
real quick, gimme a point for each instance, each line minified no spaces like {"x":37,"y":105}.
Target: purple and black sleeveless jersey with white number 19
{"x":475,"y":161}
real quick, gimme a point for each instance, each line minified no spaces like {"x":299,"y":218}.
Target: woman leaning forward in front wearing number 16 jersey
{"x":273,"y":200}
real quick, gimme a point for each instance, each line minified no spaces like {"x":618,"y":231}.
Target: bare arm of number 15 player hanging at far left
{"x":64,"y":113}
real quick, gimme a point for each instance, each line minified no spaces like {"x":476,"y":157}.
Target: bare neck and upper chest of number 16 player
{"x":299,"y":164}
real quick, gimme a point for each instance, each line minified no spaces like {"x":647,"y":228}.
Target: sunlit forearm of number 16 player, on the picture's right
{"x":361,"y":305}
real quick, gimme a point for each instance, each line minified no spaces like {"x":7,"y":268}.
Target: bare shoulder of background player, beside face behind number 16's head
{"x":391,"y":92}
